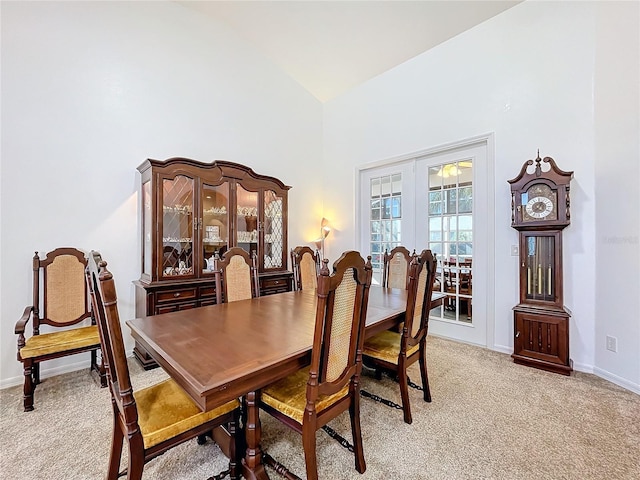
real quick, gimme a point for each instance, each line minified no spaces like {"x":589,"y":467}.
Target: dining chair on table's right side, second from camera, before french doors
{"x":395,"y":352}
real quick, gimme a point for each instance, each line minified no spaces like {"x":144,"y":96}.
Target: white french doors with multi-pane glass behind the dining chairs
{"x":438,"y":200}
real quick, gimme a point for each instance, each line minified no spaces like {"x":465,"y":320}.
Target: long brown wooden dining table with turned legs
{"x":221,"y":352}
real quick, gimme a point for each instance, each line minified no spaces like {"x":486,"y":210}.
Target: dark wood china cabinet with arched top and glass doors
{"x":192,"y":211}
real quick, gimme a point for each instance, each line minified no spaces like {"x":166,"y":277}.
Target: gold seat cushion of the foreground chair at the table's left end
{"x":165,"y":411}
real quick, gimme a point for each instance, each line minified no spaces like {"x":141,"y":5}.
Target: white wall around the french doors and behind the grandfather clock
{"x":526,"y":75}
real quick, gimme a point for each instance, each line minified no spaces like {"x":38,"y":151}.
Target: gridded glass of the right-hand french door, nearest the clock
{"x":451,"y":236}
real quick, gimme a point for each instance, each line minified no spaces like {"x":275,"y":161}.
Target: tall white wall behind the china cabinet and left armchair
{"x":92,"y":89}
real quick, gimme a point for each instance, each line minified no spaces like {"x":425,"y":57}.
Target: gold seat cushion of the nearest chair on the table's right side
{"x":289,"y":395}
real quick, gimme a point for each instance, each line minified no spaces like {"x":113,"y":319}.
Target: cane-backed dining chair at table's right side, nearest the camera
{"x":311,"y":397}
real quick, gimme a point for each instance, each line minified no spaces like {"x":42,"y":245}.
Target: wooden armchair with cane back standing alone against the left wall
{"x":60,"y":301}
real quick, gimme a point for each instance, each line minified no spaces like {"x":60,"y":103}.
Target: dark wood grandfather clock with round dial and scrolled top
{"x":540,"y":211}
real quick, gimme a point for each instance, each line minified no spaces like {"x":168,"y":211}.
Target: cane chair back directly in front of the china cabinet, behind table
{"x":236,"y":276}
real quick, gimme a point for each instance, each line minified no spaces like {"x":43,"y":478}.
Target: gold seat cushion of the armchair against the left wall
{"x":55,"y":342}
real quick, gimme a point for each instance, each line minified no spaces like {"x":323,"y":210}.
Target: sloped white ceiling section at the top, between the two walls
{"x":332,"y":46}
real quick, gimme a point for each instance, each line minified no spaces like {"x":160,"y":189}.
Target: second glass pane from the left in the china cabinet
{"x":215,"y":222}
